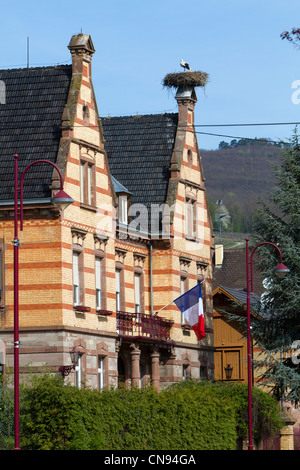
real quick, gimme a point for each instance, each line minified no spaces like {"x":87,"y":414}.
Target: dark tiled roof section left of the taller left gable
{"x":30,"y":123}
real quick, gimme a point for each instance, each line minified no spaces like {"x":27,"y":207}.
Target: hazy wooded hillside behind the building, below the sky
{"x":239,"y":175}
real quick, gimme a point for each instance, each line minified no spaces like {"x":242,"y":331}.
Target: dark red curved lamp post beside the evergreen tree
{"x":281,"y":270}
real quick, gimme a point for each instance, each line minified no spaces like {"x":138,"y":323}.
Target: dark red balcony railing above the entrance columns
{"x":147,"y":327}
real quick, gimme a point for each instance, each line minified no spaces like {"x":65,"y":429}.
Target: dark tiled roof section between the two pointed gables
{"x":139,"y":150}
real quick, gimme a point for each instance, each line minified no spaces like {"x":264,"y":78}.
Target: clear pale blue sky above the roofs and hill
{"x":237,"y":42}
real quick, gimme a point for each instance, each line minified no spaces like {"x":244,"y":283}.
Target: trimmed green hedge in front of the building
{"x":190,"y":416}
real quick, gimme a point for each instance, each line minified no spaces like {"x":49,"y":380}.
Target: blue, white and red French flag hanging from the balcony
{"x":191,"y":305}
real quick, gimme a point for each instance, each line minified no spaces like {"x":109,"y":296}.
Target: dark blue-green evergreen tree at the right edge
{"x":279,"y":222}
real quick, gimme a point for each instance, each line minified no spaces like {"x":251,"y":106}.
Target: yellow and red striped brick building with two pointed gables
{"x":101,"y":276}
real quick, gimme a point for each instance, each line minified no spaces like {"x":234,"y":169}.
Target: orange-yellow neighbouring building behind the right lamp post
{"x":230,"y":296}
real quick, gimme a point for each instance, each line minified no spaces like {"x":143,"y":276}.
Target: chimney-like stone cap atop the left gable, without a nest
{"x":82,"y":50}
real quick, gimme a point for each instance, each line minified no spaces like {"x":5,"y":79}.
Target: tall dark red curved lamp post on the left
{"x":61,"y":200}
